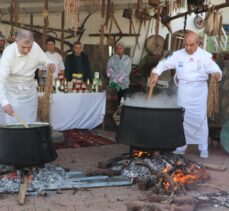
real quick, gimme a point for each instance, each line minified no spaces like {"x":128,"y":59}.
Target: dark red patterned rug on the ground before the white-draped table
{"x":76,"y":138}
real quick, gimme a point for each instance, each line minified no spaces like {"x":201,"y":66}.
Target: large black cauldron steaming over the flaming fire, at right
{"x":151,"y":128}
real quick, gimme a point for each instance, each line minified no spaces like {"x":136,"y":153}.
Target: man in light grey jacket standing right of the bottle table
{"x":118,"y":70}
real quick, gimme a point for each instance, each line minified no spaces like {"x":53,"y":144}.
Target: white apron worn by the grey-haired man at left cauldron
{"x":21,"y":94}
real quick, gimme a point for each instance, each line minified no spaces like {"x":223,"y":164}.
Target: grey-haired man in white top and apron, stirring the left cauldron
{"x":18,"y":64}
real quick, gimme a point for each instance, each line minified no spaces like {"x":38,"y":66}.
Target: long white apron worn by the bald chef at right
{"x":193,"y":97}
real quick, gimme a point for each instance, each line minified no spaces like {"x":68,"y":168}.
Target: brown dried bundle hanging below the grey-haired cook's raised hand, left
{"x":44,"y":101}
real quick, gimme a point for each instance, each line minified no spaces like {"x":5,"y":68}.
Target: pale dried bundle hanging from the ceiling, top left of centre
{"x":71,"y":8}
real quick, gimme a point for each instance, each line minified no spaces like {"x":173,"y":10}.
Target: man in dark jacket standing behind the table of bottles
{"x":78,"y":62}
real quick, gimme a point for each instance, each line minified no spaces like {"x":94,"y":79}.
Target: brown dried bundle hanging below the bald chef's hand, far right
{"x":213,"y":98}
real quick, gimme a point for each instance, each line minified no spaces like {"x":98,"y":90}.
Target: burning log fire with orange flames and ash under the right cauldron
{"x":165,"y":173}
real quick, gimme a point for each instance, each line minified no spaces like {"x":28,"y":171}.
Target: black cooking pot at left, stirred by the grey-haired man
{"x":21,"y":147}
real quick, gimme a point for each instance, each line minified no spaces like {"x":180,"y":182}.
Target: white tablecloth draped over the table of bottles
{"x":75,"y":110}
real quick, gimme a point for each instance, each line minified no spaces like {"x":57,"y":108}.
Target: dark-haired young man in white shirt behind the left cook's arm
{"x":55,"y":57}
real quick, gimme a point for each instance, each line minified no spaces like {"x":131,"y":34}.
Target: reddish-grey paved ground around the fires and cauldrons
{"x":110,"y":198}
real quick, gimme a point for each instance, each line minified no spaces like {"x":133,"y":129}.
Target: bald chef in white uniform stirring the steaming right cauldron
{"x":193,"y":65}
